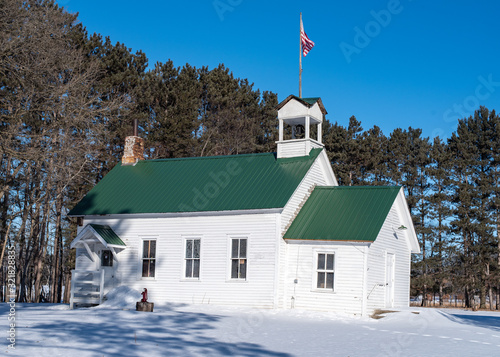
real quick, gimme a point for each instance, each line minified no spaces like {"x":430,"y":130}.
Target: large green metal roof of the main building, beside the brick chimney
{"x":217,"y":183}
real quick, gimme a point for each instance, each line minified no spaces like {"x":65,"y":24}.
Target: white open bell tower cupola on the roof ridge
{"x":297,"y":116}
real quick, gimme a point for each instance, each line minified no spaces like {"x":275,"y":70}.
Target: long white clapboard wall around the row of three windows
{"x":214,"y":285}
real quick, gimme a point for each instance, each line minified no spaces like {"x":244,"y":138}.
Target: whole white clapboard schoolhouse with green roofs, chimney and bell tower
{"x":269,"y":230}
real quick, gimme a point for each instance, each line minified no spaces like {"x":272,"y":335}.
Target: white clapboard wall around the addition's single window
{"x":348,"y":292}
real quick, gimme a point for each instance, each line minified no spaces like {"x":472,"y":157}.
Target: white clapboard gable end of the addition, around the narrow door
{"x":393,"y":241}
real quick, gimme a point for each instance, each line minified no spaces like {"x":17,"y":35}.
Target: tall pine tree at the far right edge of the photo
{"x":473,"y":182}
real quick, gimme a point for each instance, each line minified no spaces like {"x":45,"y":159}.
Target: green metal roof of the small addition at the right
{"x":354,"y":213}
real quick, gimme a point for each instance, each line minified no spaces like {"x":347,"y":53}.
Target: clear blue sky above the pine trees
{"x":417,"y":63}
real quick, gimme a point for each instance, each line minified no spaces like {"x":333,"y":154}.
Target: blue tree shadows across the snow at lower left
{"x":115,"y":332}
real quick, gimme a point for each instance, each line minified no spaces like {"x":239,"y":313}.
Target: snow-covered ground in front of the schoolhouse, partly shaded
{"x":116,"y":329}
